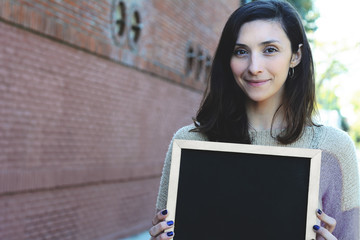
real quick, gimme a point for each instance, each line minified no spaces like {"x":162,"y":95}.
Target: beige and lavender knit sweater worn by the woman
{"x":339,"y":181}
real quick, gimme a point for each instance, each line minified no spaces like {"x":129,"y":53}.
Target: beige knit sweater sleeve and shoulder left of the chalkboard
{"x":182,"y":133}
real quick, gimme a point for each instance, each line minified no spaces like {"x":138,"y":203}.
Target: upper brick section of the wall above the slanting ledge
{"x":159,"y":35}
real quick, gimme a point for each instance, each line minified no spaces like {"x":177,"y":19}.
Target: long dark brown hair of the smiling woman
{"x":222,"y":114}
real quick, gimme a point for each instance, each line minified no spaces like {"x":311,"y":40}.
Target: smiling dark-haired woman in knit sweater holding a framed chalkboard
{"x":261,"y":91}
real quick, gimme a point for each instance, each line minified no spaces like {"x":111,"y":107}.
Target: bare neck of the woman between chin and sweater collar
{"x":261,"y":115}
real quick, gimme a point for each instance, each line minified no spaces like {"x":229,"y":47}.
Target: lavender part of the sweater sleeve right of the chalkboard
{"x":331,"y":189}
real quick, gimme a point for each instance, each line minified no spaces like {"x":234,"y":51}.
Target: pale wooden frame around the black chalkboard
{"x":314,"y":172}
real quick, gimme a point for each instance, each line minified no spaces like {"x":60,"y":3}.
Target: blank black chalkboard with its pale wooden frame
{"x":240,"y":191}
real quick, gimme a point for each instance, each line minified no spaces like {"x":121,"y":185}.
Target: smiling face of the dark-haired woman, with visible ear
{"x":261,"y":60}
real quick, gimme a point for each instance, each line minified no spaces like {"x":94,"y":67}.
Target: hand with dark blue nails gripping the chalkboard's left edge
{"x":159,"y":225}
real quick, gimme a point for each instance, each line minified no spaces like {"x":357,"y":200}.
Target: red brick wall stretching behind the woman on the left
{"x":84,"y":121}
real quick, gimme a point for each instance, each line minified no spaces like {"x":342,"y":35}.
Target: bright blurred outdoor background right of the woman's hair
{"x":336,"y":48}
